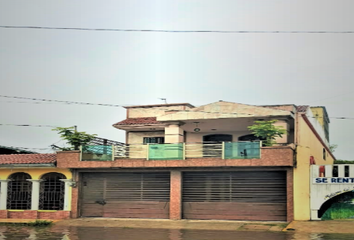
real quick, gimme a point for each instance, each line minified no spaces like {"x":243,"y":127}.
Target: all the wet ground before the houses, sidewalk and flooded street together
{"x":148,"y":229}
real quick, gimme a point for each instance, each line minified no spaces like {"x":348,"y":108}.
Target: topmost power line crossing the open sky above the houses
{"x":171,"y":31}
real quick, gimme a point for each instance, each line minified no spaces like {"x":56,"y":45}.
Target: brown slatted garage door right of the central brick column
{"x":235,"y":195}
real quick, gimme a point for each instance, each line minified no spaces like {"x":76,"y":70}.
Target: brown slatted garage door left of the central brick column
{"x":126,"y":195}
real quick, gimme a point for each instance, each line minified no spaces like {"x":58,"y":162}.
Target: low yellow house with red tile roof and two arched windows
{"x":33,"y":188}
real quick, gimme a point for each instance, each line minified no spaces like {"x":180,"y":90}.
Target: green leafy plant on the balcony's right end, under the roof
{"x":267,"y":130}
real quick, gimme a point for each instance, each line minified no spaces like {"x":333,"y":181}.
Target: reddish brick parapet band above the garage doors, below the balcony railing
{"x":270,"y":156}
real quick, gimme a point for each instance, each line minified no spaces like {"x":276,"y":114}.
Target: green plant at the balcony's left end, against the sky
{"x":74,"y":138}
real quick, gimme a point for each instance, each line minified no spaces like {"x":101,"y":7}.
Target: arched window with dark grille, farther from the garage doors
{"x":19,"y":192}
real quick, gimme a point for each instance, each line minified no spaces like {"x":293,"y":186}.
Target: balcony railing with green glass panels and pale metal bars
{"x":173,"y":151}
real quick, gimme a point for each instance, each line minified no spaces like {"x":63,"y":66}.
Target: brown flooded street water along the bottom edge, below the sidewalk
{"x":113,"y":233}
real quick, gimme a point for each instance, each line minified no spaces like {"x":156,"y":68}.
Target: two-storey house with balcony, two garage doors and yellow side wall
{"x":185,"y":162}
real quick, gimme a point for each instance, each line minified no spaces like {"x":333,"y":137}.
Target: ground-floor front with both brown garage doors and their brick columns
{"x":240,"y":193}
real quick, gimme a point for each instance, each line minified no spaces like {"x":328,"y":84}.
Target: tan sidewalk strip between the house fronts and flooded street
{"x":332,"y":226}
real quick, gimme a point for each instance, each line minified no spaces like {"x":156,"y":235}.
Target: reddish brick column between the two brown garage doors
{"x":176,"y":195}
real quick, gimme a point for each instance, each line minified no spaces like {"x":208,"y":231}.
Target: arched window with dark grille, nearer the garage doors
{"x":51,"y":195}
